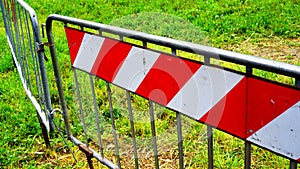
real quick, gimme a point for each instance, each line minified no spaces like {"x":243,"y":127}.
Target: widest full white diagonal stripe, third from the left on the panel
{"x":203,"y":91}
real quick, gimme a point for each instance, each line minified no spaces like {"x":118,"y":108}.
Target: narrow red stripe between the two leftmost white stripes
{"x":110,"y":58}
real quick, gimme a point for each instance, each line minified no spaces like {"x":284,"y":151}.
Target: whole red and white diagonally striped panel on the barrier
{"x":256,"y":110}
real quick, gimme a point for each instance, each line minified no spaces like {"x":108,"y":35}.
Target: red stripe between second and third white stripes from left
{"x":166,"y":78}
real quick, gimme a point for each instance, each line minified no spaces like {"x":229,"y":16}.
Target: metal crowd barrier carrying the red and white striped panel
{"x":256,"y":110}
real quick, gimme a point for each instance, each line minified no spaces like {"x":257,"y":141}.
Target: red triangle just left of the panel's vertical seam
{"x":229,"y":114}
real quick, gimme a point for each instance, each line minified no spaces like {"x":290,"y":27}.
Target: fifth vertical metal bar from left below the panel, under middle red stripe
{"x":153,"y":131}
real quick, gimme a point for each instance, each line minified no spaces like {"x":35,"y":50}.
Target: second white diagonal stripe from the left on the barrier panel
{"x":135,"y":68}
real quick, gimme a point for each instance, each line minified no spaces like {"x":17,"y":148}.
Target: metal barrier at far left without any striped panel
{"x":22,"y":31}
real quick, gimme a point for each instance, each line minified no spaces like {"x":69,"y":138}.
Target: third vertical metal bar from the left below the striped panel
{"x":113,"y":124}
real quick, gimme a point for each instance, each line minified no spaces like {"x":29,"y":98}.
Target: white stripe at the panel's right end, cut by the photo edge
{"x":281,"y":135}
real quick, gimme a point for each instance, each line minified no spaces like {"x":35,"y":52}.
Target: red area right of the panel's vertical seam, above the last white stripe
{"x":266,"y":101}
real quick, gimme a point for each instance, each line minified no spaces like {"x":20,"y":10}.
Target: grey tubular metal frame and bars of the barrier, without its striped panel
{"x":249,"y":62}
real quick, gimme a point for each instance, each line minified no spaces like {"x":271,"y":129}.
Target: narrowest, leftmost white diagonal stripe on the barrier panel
{"x":88,"y":52}
